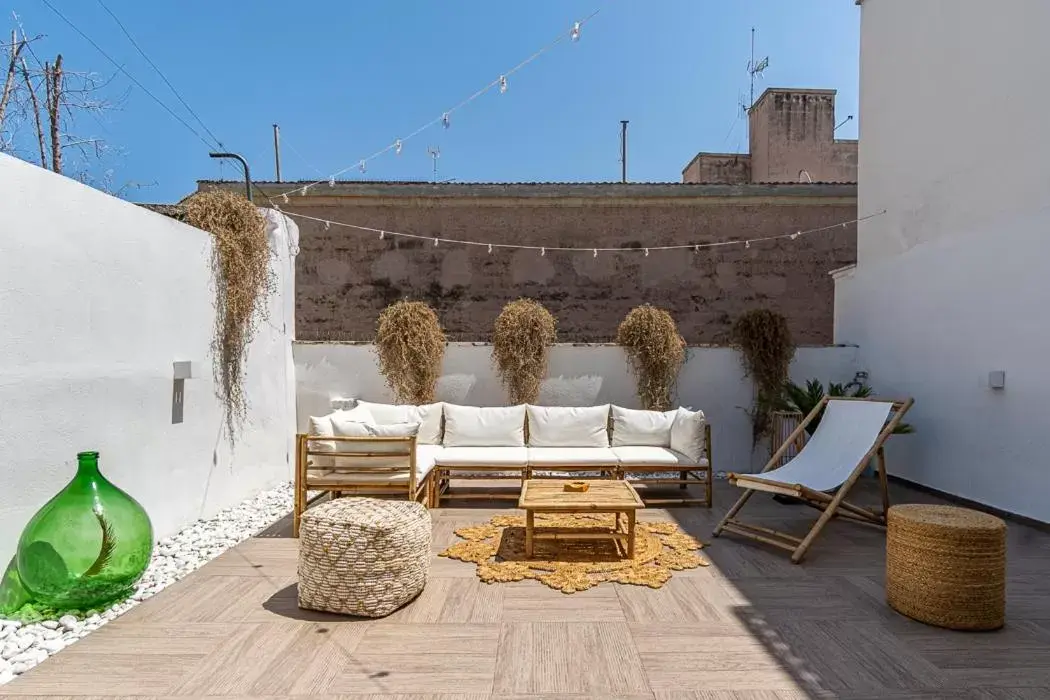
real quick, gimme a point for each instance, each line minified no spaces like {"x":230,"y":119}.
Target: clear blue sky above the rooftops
{"x":345,"y":78}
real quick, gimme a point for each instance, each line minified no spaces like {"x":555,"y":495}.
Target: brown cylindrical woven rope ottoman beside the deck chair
{"x":947,"y":566}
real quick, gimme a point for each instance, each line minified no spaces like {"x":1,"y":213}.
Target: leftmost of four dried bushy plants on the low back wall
{"x":411,"y":347}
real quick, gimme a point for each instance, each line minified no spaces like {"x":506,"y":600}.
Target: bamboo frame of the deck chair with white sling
{"x":831,"y":505}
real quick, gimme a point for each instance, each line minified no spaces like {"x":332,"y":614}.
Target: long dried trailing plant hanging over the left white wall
{"x":244,"y":282}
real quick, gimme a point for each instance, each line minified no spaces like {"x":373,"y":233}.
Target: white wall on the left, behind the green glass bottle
{"x":98,"y":299}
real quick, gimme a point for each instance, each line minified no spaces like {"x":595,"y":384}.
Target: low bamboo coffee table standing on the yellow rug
{"x":547,"y":496}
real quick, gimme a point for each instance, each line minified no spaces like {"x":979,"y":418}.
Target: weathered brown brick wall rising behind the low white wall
{"x":346,"y":278}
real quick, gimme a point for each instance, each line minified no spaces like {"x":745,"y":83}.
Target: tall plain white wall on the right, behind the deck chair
{"x":952,"y":283}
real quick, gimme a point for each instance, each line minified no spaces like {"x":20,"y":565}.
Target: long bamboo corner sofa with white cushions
{"x":415,"y":452}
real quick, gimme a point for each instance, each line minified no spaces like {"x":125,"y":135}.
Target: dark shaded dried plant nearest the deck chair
{"x":767,"y":348}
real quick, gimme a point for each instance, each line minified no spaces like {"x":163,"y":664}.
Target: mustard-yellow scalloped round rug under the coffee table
{"x":498,"y":548}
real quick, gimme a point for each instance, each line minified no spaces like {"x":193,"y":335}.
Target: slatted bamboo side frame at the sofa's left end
{"x":341,"y":480}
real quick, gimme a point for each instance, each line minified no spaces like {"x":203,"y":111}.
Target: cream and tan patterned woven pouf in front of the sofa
{"x":364,"y":557}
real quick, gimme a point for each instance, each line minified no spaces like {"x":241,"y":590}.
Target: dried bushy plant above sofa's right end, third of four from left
{"x":656,"y":353}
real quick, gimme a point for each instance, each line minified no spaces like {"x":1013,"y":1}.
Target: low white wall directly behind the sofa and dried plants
{"x":711,"y":380}
